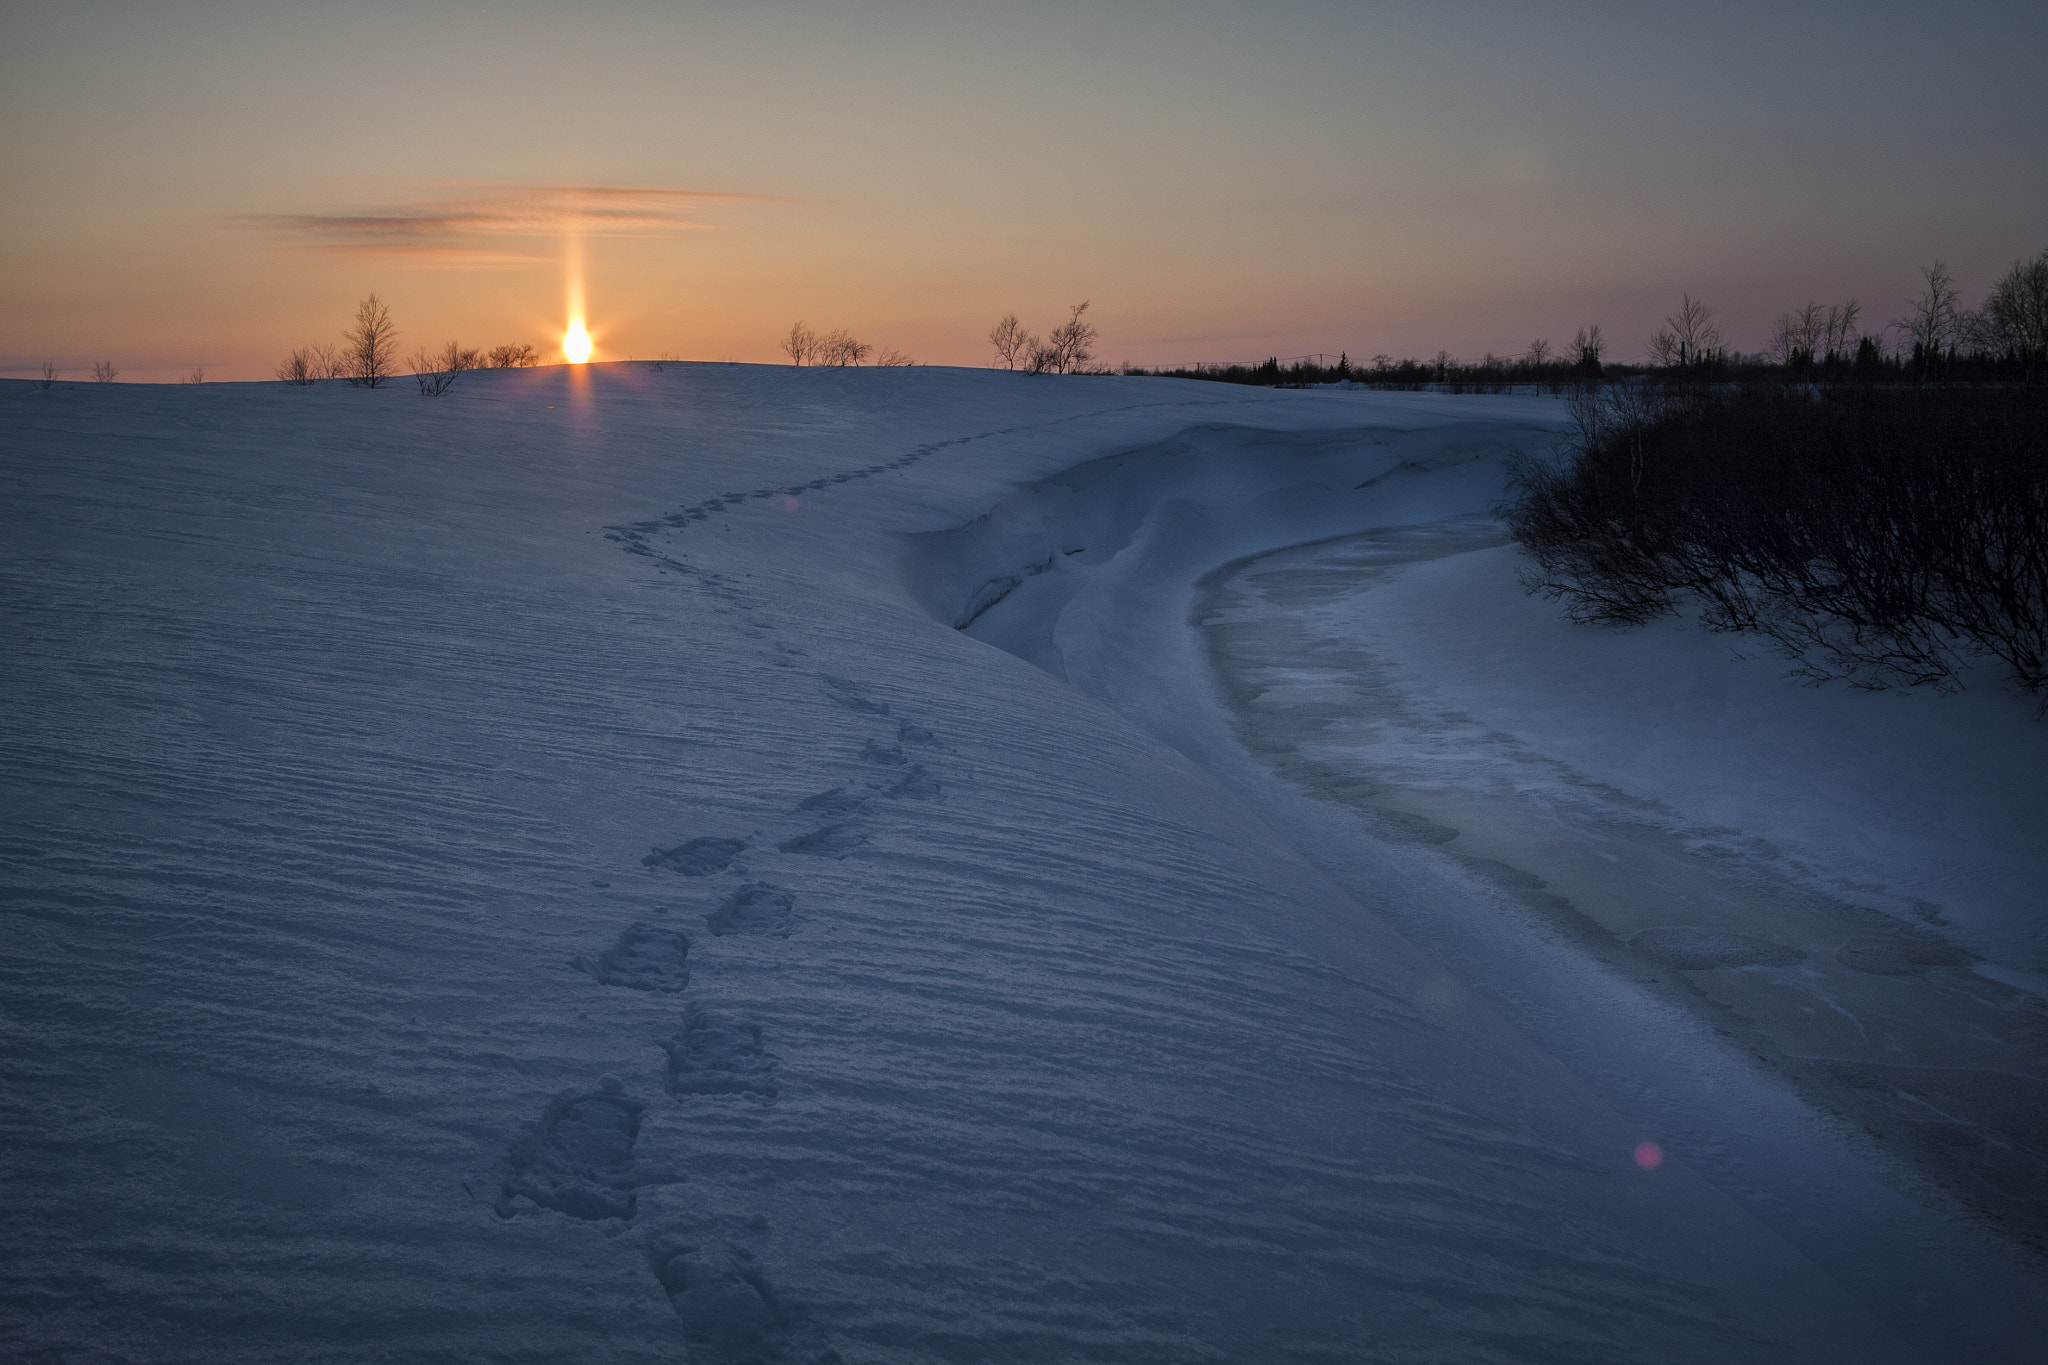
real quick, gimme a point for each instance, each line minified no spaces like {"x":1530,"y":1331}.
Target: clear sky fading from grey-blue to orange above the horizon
{"x":212,"y":183}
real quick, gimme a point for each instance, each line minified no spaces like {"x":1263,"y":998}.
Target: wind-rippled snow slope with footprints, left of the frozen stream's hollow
{"x":347,"y":1006}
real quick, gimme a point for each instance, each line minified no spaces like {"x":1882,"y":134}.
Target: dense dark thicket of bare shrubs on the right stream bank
{"x":1873,"y":535}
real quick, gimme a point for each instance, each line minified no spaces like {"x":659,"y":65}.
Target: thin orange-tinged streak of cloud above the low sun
{"x":458,"y":230}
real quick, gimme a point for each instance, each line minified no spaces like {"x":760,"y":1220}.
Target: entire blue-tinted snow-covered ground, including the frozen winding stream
{"x":738,"y":865}
